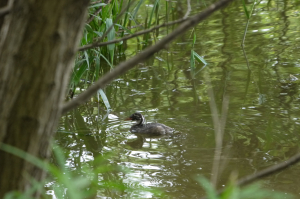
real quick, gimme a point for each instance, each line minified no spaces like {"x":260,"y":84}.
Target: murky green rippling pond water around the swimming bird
{"x":263,"y":117}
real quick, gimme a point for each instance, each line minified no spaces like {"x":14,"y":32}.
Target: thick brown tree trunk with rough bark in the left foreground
{"x":37,"y":47}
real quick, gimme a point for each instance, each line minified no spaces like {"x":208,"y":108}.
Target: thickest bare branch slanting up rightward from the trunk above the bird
{"x":125,"y":66}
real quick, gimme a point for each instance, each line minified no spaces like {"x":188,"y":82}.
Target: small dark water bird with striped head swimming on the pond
{"x":150,"y":128}
